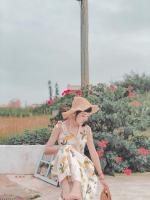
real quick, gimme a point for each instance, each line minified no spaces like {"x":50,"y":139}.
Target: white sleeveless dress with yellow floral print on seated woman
{"x":73,"y":163}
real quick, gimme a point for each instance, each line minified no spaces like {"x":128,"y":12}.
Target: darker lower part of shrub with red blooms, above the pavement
{"x":121,"y":155}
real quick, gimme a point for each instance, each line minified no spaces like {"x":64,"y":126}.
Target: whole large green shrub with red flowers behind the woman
{"x":123,"y":113}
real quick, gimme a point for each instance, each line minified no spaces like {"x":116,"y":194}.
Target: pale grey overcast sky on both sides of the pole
{"x":40,"y":41}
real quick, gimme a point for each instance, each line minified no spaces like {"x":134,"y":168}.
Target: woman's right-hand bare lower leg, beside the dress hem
{"x":75,"y":193}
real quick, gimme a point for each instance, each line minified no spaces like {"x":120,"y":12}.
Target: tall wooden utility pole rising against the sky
{"x":84,"y":44}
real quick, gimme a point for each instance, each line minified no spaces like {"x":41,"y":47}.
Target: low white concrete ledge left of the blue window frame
{"x":19,"y":159}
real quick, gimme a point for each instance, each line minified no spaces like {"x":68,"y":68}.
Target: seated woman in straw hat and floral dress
{"x":75,"y":171}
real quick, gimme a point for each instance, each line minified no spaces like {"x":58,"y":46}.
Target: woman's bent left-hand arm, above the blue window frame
{"x":50,"y":147}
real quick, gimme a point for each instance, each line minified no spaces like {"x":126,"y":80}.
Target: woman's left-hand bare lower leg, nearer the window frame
{"x":66,"y":188}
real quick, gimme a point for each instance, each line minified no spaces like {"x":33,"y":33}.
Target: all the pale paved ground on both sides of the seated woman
{"x":15,"y":187}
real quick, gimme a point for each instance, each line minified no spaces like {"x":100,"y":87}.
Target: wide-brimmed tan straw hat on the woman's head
{"x":80,"y":104}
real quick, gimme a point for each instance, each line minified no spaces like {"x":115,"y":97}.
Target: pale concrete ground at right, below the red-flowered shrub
{"x":136,"y":187}
